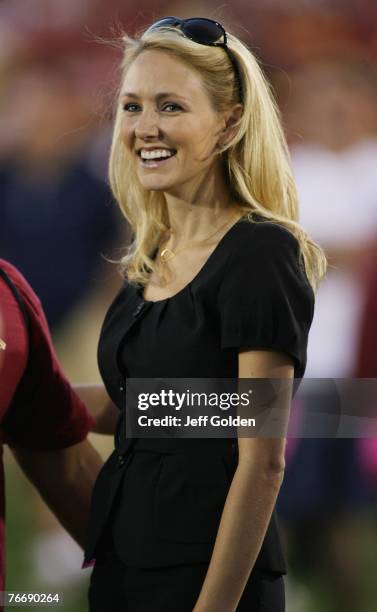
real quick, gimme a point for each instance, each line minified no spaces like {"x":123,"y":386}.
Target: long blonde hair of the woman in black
{"x":256,"y":159}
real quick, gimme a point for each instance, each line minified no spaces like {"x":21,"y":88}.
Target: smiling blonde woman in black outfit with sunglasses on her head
{"x":219,"y":283}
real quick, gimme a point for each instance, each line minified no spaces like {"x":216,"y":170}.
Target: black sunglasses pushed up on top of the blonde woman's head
{"x":203,"y":31}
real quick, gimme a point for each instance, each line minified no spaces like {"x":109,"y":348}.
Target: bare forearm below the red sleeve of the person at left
{"x":65,"y":480}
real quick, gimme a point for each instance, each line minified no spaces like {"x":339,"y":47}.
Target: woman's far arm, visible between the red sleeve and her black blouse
{"x":100,"y":407}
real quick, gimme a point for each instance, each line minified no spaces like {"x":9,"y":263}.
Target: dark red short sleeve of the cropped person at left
{"x":45,"y":413}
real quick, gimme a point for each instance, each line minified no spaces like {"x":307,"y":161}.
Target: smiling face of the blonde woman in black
{"x":167,"y":112}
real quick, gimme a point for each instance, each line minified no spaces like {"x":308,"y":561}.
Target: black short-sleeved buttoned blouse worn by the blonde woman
{"x":252,"y":292}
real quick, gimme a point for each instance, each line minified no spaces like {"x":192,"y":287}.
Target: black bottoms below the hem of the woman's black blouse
{"x":117,"y":587}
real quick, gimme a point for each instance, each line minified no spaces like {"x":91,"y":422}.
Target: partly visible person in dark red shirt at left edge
{"x":41,"y":417}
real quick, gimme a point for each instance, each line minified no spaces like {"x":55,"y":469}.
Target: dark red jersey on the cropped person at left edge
{"x":38,"y":408}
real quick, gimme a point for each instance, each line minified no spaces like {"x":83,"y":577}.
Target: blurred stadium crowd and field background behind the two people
{"x":59,"y":226}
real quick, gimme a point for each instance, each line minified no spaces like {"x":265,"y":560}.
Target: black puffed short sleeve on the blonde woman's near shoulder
{"x":265,"y":299}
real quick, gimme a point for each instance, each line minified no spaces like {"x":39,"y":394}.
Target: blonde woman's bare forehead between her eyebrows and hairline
{"x":153,"y":70}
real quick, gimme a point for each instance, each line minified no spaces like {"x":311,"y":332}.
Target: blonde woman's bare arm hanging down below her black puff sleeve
{"x":250,"y":500}
